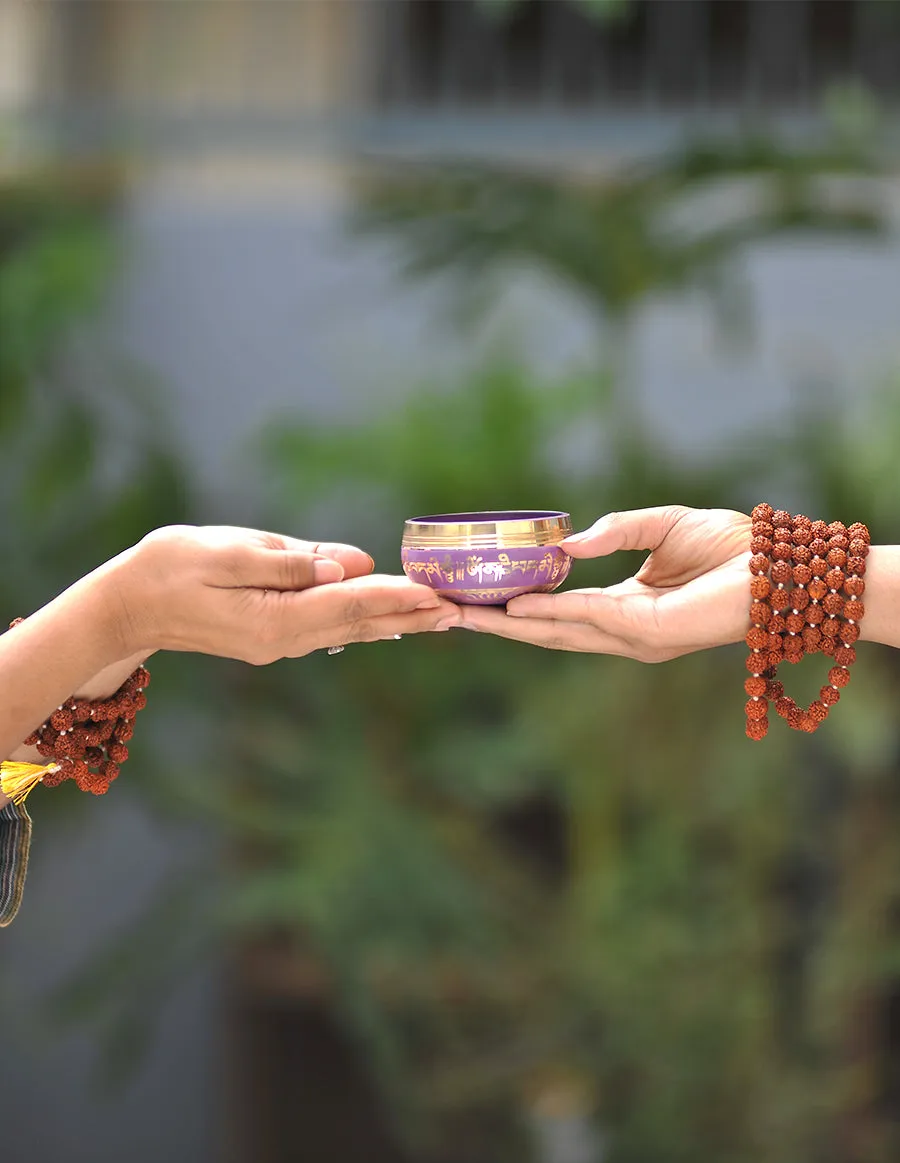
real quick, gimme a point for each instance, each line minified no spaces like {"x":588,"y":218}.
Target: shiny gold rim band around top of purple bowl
{"x":477,"y":531}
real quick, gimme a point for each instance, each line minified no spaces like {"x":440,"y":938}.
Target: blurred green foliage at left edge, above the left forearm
{"x":85,"y":468}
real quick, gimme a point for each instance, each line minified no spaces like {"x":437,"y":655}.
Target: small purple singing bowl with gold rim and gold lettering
{"x":487,"y":559}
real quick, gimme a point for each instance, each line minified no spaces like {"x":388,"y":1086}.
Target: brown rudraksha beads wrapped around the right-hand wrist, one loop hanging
{"x":806,"y":589}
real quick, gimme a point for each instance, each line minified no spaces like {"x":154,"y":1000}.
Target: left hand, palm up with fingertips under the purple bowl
{"x":258,"y":597}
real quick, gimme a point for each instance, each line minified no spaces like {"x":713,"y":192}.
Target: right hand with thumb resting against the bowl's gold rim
{"x":691,"y":594}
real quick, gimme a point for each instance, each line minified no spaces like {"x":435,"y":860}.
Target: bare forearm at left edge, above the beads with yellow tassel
{"x":74,"y":645}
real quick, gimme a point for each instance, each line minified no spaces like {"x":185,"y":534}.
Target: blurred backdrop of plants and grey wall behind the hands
{"x":320,"y":266}
